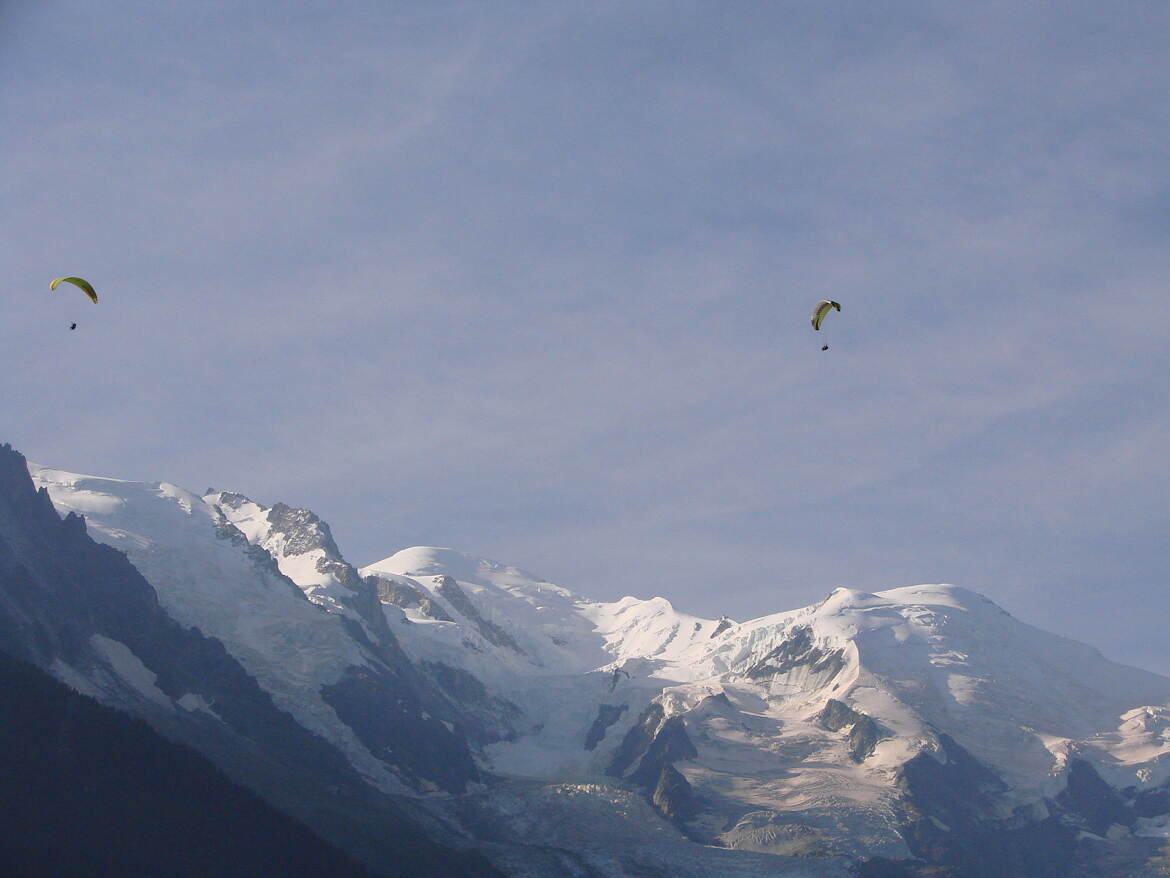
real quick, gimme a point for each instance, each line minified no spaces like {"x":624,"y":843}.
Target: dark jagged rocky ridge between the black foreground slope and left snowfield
{"x":63,"y":595}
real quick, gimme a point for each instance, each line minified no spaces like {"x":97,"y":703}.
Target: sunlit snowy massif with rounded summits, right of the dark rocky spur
{"x":792,"y":732}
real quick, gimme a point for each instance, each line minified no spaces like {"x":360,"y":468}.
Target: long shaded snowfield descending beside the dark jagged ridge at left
{"x":204,"y":580}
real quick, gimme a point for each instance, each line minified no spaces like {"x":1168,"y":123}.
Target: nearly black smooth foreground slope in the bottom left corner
{"x":86,"y":791}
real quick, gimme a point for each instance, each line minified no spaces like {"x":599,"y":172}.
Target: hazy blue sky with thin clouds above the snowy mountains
{"x":533,"y":280}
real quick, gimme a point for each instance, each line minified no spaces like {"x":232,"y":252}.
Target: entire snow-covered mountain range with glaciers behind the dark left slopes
{"x":565,"y":736}
